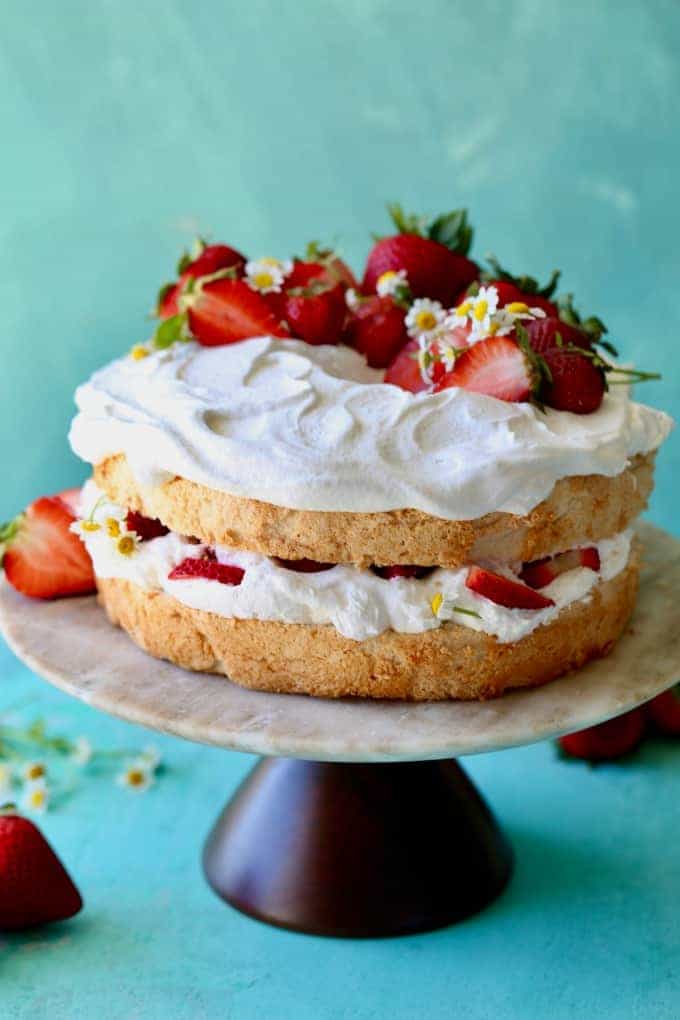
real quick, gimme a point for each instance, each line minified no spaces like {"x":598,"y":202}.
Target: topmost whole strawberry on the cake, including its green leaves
{"x":434,"y":256}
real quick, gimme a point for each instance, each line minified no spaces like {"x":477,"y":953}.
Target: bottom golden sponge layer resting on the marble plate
{"x":452,"y":662}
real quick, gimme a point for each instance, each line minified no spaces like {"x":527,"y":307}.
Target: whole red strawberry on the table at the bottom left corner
{"x":35,"y":888}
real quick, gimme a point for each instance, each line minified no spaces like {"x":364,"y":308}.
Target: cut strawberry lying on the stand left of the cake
{"x":44,"y":558}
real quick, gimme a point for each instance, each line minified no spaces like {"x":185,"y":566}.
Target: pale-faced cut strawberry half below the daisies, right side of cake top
{"x":497,"y":367}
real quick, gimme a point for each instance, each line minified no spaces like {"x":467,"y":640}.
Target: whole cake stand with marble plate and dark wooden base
{"x":358,"y":823}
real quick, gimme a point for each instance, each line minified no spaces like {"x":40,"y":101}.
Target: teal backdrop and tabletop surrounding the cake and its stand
{"x":126,"y":129}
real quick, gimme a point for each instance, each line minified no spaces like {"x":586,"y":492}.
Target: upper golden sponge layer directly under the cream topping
{"x":580,"y":511}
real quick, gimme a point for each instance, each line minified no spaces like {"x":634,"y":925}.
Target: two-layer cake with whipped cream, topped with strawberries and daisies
{"x":420,"y":487}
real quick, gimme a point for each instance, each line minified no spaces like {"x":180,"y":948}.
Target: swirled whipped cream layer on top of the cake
{"x":315,"y":429}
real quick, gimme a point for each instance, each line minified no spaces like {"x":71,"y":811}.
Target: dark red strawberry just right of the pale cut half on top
{"x":576,"y":384}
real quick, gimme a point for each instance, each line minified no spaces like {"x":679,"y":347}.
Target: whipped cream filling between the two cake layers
{"x":358,"y":603}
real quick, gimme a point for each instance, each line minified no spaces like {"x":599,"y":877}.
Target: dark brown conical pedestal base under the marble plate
{"x":357,"y":850}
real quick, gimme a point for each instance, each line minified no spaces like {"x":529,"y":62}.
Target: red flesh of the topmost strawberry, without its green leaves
{"x":433,"y":270}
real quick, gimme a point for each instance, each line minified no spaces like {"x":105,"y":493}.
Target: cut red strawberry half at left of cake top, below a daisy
{"x":227,"y":311}
